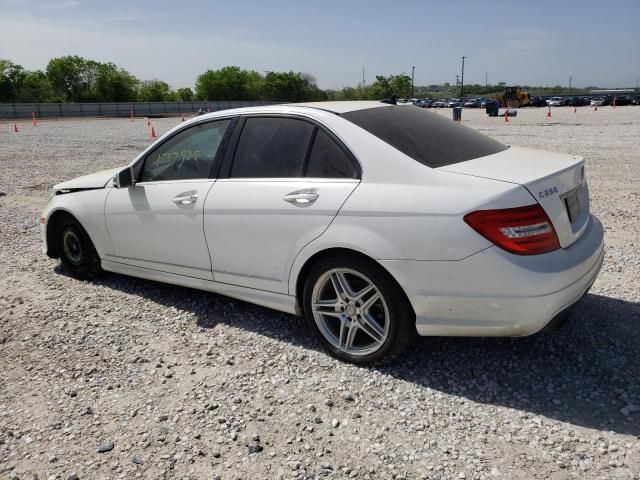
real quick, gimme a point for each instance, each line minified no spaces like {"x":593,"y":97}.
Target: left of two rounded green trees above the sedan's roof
{"x":229,"y":83}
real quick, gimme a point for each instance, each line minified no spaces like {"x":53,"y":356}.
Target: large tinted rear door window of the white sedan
{"x":271,"y":147}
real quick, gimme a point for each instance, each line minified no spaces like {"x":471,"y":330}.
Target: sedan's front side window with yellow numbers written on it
{"x":190,"y":154}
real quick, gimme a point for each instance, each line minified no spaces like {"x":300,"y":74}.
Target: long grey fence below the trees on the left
{"x":121,"y":109}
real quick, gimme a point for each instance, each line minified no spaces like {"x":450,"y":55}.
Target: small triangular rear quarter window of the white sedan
{"x":328,"y":160}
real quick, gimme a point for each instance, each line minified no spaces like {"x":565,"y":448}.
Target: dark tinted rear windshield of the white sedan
{"x":423,"y":135}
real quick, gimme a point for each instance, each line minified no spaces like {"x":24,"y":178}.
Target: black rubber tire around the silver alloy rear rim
{"x":401,"y":319}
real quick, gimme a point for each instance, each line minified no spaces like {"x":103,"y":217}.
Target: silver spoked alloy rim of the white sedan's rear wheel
{"x":350,"y":312}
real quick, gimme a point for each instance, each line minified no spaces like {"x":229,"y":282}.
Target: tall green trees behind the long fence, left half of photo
{"x":76,"y":79}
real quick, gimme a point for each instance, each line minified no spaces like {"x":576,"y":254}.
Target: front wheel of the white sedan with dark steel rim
{"x":77,"y":253}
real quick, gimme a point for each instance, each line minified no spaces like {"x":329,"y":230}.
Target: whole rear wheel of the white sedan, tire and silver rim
{"x":357,"y":310}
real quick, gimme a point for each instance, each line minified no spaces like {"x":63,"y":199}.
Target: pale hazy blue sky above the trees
{"x":534,"y":42}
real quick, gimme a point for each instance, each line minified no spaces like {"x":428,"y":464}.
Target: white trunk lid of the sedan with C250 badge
{"x":555,"y":180}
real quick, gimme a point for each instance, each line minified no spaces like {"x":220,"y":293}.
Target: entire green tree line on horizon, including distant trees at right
{"x":76,"y":79}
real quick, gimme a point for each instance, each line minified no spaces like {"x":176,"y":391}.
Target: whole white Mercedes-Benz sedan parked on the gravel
{"x":372,"y":220}
